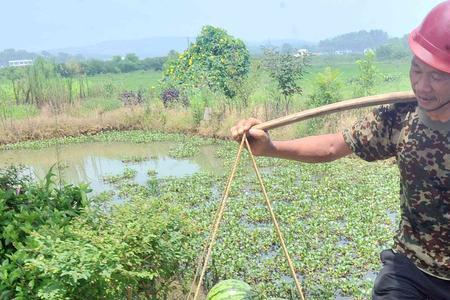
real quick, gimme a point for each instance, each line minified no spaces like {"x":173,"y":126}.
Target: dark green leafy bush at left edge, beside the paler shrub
{"x":26,"y":207}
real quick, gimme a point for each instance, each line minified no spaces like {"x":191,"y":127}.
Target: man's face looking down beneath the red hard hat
{"x":431,"y":87}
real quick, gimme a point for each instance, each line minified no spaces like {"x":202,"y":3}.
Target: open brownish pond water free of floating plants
{"x":90,"y":162}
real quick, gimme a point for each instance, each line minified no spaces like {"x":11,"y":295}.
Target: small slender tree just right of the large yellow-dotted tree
{"x":286,"y":69}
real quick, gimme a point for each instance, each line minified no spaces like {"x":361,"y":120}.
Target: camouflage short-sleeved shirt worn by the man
{"x":421,"y":147}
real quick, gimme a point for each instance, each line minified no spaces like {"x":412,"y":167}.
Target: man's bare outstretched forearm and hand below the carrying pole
{"x":321,"y":148}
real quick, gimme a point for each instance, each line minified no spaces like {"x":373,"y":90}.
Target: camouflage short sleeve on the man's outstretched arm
{"x":371,"y":137}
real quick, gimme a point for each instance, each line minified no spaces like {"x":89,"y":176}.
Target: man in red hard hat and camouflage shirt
{"x":418,"y":136}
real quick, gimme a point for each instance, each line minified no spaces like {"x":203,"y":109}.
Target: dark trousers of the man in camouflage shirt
{"x":401,"y":279}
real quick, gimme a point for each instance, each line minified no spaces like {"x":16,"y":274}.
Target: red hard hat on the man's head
{"x":431,"y":40}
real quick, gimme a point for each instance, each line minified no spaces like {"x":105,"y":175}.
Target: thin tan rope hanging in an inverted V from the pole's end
{"x":219,"y":215}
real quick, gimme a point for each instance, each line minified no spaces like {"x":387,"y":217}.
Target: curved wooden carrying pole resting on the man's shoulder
{"x":390,"y":98}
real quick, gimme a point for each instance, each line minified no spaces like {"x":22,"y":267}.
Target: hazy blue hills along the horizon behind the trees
{"x":160,"y":46}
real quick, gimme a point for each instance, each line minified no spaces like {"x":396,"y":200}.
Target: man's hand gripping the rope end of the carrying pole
{"x":259,"y":139}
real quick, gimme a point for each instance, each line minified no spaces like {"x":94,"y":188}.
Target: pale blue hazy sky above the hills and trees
{"x":36,"y":25}
